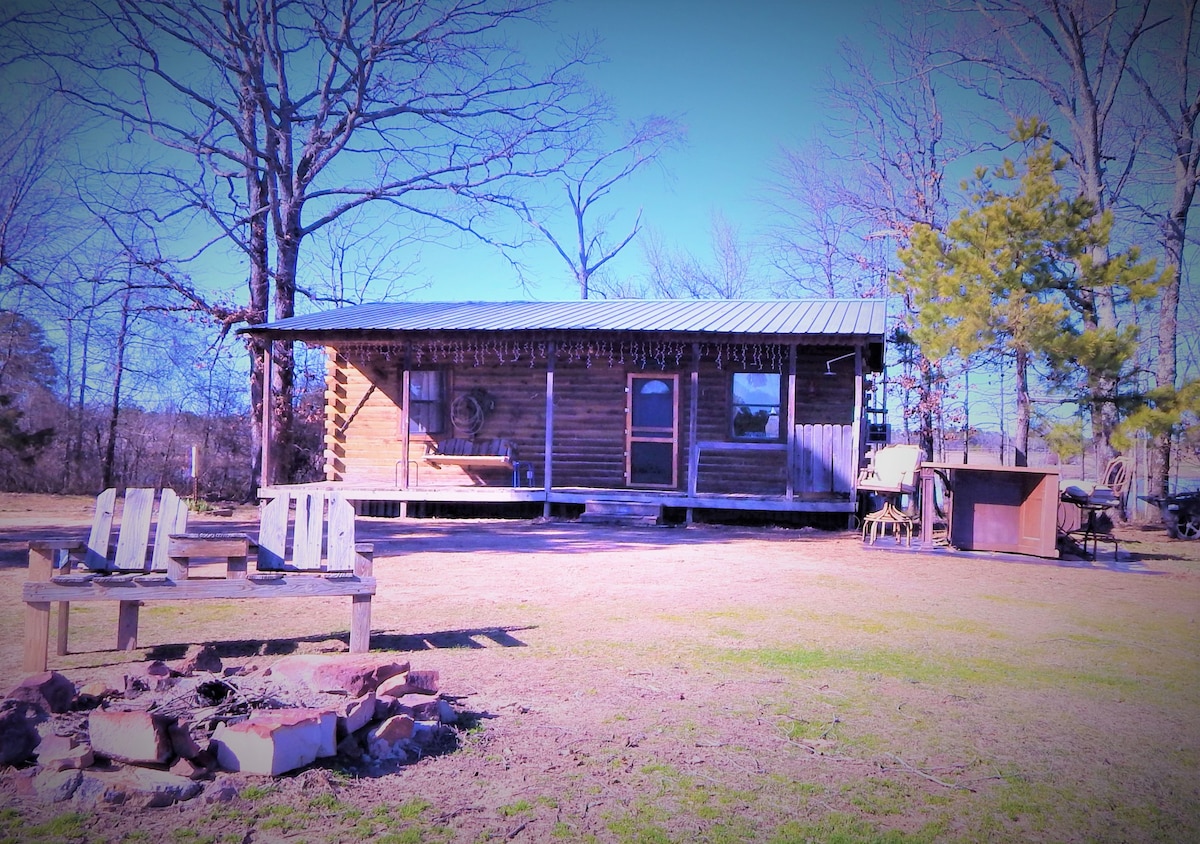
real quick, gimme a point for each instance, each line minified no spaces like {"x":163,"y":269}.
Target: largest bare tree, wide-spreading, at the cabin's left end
{"x":277,"y":118}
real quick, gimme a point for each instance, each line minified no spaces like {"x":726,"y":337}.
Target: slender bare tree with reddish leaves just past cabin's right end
{"x":890,"y":134}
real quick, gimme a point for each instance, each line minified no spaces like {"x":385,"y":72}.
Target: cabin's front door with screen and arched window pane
{"x":652,"y":430}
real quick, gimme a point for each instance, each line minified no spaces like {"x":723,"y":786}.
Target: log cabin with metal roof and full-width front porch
{"x":763,"y":406}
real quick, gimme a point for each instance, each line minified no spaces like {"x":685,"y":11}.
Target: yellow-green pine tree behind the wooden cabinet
{"x":1013,"y":274}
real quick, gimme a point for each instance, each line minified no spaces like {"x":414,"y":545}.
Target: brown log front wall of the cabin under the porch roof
{"x":364,"y":439}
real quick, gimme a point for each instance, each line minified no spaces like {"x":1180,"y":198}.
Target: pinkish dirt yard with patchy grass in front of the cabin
{"x":709,"y":684}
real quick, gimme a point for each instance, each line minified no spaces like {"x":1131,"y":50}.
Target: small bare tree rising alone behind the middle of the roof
{"x":591,"y":179}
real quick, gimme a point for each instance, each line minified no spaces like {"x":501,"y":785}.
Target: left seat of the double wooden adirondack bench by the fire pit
{"x":98,"y":559}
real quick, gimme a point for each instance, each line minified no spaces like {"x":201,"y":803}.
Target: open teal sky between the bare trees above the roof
{"x":743,"y":77}
